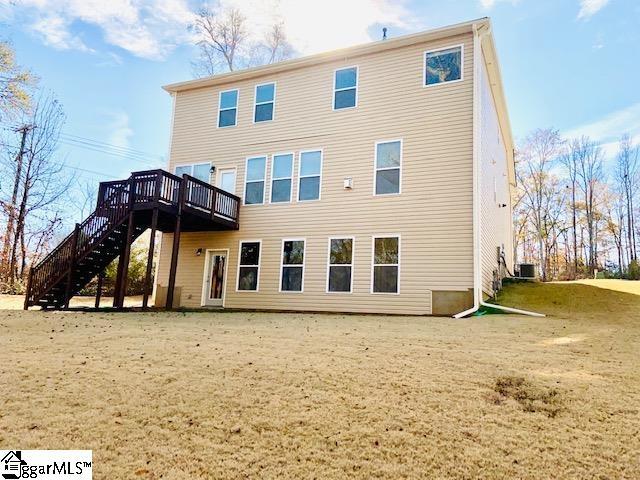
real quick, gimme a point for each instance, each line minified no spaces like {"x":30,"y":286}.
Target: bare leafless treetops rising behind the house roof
{"x":224,"y":43}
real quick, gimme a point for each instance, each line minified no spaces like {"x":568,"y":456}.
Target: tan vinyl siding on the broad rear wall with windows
{"x":432,"y":214}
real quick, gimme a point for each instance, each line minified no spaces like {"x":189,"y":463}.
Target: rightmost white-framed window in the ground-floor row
{"x":386,"y":265}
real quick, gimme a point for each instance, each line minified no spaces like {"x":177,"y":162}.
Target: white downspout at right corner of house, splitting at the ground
{"x":478,"y":32}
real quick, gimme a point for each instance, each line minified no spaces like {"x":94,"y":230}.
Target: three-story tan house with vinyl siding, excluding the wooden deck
{"x":431,"y":216}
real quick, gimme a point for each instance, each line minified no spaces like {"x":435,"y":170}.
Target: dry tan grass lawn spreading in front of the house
{"x":254,"y":395}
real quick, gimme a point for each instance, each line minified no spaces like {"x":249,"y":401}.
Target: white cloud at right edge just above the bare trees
{"x":608,"y":130}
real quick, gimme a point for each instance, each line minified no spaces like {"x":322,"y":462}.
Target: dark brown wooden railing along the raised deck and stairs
{"x":152,"y":189}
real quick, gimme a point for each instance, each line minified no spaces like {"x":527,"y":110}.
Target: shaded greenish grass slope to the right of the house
{"x":571,"y":300}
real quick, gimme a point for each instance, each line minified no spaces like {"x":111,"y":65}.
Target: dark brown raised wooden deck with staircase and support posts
{"x":125,"y":209}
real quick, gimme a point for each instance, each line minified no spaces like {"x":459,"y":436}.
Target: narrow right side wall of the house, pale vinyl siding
{"x":496,"y":221}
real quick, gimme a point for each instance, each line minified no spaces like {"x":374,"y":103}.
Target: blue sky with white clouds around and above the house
{"x":568,"y":64}
